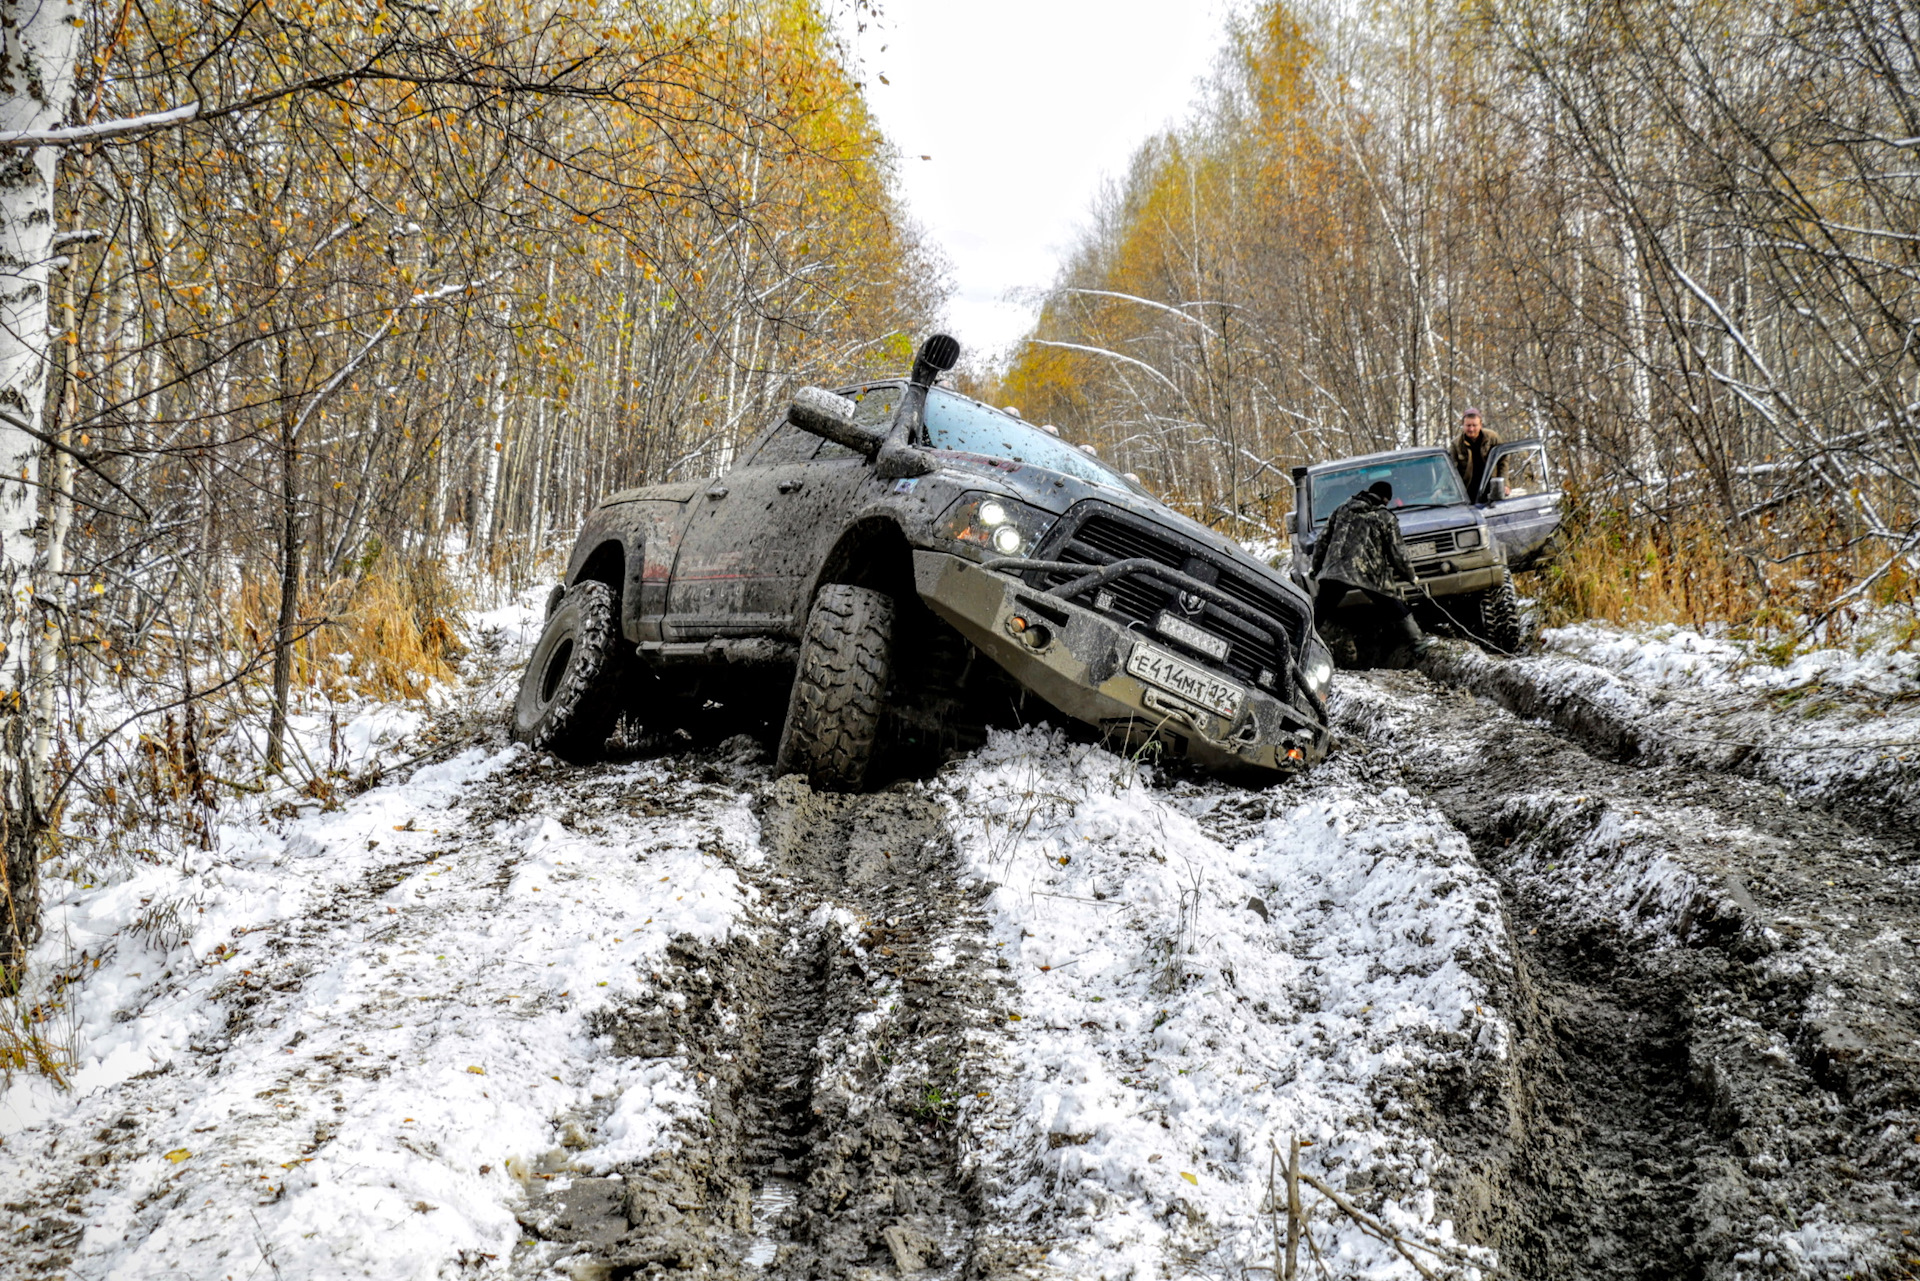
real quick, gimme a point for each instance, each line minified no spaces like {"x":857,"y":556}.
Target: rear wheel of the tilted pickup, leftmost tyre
{"x":567,"y":700}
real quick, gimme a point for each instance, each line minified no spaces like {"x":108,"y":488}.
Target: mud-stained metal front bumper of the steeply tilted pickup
{"x":1080,"y":669}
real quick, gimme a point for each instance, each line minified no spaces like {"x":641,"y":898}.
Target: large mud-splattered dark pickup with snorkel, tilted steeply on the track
{"x":903,"y":564}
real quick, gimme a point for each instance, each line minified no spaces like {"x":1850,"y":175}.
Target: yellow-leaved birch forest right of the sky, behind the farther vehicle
{"x":1675,"y":241}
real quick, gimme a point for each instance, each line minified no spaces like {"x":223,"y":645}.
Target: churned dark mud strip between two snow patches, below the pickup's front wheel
{"x":834,"y":1048}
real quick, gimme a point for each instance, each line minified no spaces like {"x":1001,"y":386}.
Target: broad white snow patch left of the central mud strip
{"x":370,"y":1019}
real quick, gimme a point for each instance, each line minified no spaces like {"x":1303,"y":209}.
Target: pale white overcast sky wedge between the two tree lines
{"x":1024,"y":107}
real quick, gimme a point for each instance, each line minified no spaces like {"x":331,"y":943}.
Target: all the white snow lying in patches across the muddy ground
{"x":366,"y":1038}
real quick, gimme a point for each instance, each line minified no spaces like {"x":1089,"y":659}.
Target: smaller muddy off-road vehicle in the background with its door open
{"x":1466,"y":548}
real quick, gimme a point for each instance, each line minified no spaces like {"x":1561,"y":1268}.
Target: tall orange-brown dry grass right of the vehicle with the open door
{"x":1773,"y":583}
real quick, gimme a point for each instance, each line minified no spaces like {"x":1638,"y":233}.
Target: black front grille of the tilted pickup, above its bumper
{"x":1099,"y":535}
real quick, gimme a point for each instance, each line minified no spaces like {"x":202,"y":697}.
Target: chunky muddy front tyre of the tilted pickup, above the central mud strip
{"x":840,"y":689}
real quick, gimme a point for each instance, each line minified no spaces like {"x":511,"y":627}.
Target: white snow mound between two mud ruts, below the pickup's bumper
{"x":1168,"y":1036}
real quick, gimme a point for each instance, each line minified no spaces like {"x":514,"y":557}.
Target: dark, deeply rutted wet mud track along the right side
{"x":1714,"y":994}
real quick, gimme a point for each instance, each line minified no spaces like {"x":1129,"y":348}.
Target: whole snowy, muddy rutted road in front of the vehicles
{"x":1539,"y":1013}
